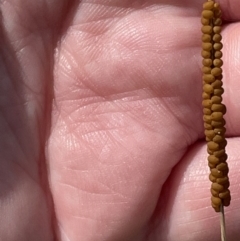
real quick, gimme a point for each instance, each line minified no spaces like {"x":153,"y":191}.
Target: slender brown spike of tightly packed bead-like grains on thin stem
{"x":213,"y":109}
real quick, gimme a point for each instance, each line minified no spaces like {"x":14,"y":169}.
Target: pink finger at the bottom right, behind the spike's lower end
{"x":188,"y":214}
